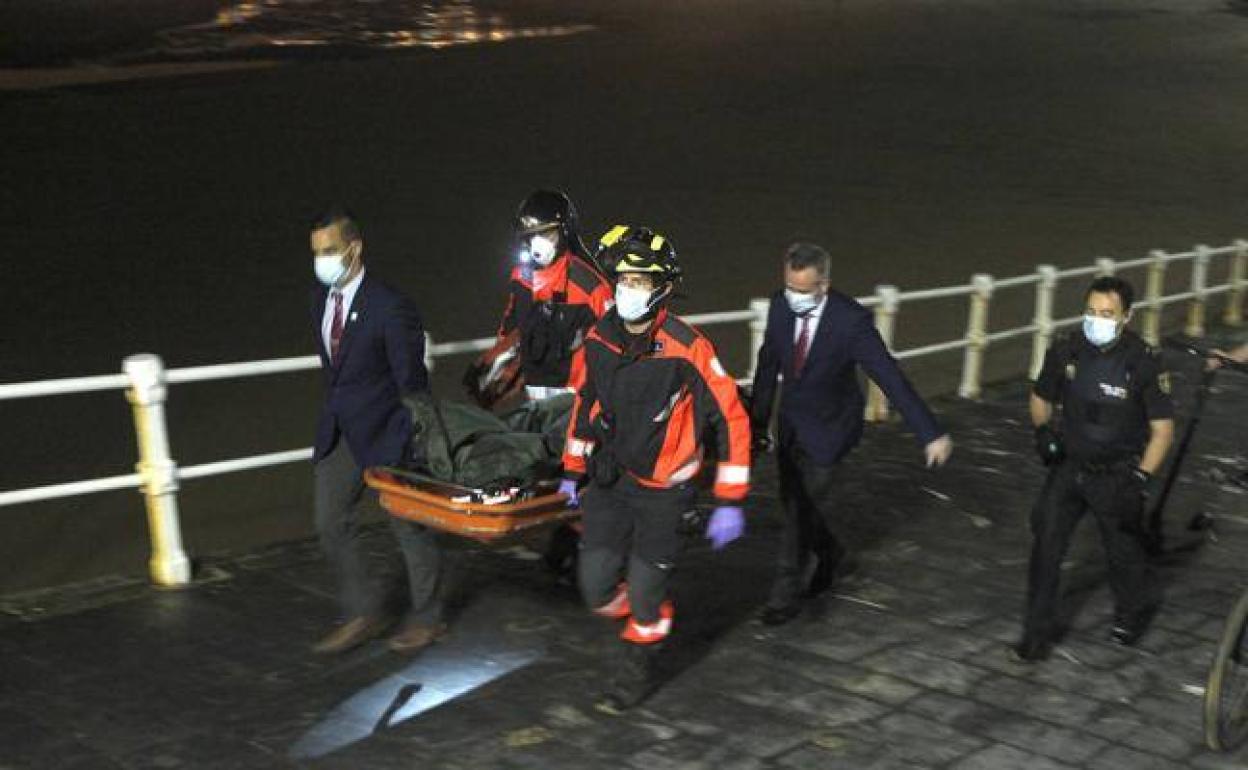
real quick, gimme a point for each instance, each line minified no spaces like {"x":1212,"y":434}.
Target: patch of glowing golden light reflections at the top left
{"x":266,"y":27}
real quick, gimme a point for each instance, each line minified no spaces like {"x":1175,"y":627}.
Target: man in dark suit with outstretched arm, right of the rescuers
{"x":817,"y":339}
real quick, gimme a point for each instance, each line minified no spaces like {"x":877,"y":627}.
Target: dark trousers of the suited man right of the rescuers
{"x":813,"y":524}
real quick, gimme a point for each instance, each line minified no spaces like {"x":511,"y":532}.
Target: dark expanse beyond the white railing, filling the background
{"x":919,"y":142}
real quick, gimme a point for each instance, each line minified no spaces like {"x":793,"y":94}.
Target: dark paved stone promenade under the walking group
{"x":902,"y":667}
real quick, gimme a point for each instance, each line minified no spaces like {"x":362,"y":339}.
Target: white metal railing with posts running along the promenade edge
{"x":147,"y":380}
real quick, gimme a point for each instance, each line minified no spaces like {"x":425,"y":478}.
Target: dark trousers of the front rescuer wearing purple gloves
{"x":631,"y":525}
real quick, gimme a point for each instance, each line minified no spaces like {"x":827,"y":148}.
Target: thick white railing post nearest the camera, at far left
{"x":169,"y":566}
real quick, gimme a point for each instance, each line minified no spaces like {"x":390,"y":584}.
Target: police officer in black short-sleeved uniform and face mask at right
{"x":1118,"y":425}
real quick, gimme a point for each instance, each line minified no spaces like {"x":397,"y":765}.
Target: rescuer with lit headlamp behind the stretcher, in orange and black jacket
{"x":555,"y":296}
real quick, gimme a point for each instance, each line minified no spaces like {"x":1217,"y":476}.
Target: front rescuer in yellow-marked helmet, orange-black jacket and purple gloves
{"x":653,"y":387}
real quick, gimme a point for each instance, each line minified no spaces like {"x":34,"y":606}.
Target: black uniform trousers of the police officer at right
{"x":1106,"y":491}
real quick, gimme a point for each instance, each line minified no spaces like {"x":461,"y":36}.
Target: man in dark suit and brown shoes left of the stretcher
{"x":373,"y":353}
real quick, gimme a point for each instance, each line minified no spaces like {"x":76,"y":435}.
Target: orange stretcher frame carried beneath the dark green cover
{"x":426,"y":504}
